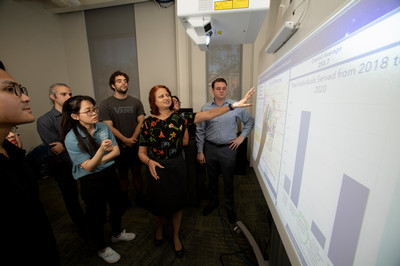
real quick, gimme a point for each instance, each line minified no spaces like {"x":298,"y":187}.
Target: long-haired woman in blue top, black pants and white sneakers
{"x":92,"y":148}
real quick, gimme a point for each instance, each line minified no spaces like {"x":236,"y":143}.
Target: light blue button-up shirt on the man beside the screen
{"x":222,"y":129}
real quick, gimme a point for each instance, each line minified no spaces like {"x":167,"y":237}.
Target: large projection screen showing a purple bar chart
{"x":326,"y":147}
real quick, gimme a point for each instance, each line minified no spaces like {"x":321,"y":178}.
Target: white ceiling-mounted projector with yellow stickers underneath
{"x":212,"y":22}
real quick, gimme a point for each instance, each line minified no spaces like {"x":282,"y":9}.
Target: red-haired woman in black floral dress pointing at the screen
{"x":160,"y":148}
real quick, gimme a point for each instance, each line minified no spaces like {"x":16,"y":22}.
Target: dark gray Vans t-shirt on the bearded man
{"x":122,"y":112}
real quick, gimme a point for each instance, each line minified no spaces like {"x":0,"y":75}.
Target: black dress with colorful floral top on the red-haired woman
{"x":163,"y":139}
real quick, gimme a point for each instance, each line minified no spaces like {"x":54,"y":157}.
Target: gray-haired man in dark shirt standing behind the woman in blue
{"x":49,"y":129}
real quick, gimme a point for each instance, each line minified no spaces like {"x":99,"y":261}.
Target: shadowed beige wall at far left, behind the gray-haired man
{"x":32,"y":49}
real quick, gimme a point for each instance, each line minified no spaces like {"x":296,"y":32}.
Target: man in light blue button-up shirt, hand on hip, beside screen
{"x":217,"y":144}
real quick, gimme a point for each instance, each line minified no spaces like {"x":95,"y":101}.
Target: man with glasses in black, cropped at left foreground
{"x":28,"y":236}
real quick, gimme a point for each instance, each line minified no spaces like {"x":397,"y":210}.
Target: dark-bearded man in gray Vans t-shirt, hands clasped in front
{"x":125,"y":114}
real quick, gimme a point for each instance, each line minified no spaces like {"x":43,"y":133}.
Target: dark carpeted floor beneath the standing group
{"x":208,"y":240}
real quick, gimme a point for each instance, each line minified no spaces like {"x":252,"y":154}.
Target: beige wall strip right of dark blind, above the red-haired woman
{"x":155,"y":35}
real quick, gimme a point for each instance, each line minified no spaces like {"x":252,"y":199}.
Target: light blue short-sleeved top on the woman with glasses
{"x":101,"y":132}
